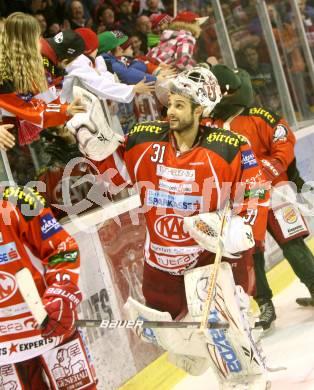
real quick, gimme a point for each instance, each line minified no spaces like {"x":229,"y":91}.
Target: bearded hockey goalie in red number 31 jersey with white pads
{"x":184,"y":174}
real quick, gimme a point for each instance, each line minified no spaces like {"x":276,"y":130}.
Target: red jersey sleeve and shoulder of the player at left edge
{"x":45,"y":237}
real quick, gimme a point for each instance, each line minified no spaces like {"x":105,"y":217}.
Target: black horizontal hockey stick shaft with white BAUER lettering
{"x":147,"y":324}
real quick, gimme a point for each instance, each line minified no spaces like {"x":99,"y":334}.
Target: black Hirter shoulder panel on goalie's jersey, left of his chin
{"x":155,"y":131}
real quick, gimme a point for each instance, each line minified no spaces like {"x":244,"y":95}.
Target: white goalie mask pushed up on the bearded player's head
{"x":198,"y":84}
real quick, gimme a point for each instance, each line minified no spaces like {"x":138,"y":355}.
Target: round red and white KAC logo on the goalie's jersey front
{"x":170,"y":227}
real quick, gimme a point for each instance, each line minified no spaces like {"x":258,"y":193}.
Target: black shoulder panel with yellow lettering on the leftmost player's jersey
{"x":27,"y":199}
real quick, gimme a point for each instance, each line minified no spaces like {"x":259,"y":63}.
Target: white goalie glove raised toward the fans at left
{"x":95,"y":137}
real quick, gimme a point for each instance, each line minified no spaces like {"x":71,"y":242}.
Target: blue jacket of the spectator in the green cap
{"x":131,"y":74}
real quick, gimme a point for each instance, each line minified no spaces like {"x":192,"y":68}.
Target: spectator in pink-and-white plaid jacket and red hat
{"x":177,"y":43}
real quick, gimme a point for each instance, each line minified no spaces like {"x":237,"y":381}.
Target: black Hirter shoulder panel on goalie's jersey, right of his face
{"x":225,"y":143}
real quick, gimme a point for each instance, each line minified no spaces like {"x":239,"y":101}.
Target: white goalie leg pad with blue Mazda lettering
{"x":233,"y":352}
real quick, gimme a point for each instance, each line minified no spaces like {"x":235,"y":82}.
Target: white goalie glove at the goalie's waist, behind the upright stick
{"x":204,"y":229}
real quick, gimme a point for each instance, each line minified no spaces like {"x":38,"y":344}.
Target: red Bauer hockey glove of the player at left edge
{"x":60,"y":302}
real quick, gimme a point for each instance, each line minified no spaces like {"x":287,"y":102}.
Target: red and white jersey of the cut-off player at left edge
{"x":30,"y":237}
